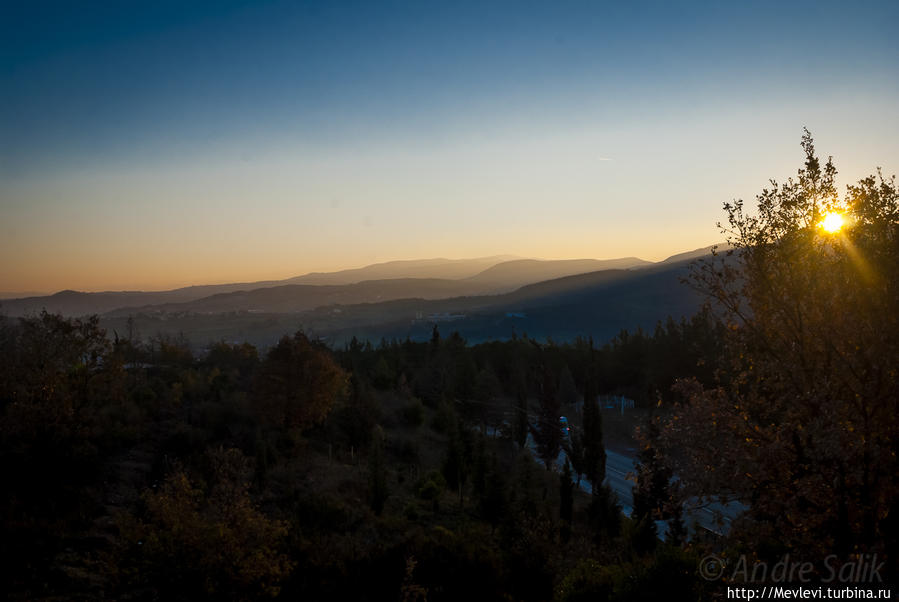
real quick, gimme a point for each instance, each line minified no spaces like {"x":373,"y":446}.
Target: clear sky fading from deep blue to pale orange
{"x":151,"y":145}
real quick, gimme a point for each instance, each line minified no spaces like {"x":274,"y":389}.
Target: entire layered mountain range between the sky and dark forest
{"x":560,"y":299}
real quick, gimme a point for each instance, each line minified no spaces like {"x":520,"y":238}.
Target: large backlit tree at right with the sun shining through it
{"x":803,"y":424}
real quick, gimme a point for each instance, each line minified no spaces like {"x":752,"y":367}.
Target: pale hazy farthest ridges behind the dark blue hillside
{"x":428,"y":279}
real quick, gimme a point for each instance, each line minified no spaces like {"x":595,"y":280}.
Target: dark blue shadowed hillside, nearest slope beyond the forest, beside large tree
{"x":597,"y":304}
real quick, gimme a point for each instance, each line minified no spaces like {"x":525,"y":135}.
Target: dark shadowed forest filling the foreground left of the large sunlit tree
{"x":370,"y":472}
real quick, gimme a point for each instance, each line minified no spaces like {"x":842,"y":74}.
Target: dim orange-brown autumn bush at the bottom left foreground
{"x":212,"y":543}
